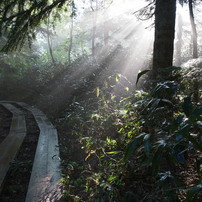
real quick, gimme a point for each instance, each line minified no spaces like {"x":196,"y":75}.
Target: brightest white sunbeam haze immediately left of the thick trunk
{"x":133,"y":34}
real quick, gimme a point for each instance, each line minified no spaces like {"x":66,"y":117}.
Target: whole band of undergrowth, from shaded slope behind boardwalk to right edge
{"x":127,"y":144}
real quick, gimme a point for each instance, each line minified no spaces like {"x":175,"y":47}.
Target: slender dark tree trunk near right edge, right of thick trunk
{"x":194,"y":32}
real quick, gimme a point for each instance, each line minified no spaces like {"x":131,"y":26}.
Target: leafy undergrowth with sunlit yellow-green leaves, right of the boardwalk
{"x":137,"y":143}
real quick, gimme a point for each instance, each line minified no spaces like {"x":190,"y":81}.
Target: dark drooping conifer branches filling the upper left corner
{"x":19,"y":19}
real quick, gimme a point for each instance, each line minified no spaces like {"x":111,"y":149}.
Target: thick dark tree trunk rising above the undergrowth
{"x":164,"y":35}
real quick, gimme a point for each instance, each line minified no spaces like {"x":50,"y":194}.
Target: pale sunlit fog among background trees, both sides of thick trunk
{"x":113,"y":36}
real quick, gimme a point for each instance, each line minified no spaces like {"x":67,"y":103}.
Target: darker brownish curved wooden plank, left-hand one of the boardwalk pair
{"x":11,"y":144}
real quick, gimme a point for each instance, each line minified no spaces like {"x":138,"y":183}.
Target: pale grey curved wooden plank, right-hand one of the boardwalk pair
{"x":46,"y":173}
